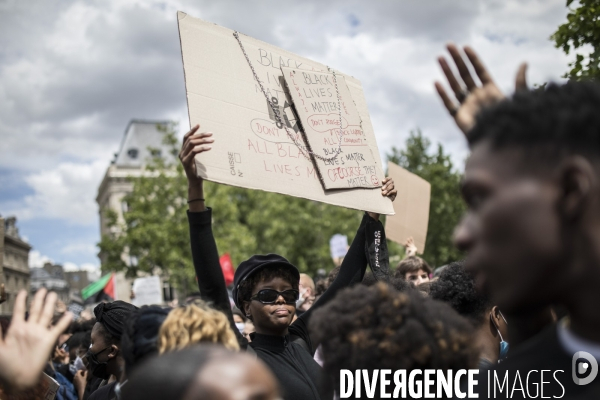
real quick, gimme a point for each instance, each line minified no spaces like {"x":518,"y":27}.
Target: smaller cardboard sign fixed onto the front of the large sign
{"x":323,"y":103}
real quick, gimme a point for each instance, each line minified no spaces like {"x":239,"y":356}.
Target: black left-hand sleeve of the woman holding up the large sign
{"x":208,"y":268}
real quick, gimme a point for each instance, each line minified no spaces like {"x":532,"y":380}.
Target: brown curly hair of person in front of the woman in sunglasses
{"x":378,"y":327}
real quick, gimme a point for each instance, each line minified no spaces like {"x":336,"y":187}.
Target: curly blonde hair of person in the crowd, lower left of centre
{"x":195,"y":323}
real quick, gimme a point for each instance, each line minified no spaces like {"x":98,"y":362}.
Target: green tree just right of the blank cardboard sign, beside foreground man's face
{"x":446,"y":206}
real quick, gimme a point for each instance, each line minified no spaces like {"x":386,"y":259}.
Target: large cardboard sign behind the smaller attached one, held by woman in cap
{"x":251,"y":149}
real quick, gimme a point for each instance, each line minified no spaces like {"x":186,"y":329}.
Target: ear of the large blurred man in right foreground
{"x":576,"y":179}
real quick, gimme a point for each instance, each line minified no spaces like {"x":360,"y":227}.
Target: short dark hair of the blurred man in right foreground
{"x":548,"y":124}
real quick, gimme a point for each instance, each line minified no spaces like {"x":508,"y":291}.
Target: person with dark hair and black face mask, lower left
{"x":104,"y":357}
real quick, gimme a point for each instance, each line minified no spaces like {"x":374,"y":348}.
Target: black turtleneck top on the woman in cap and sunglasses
{"x":289,"y":357}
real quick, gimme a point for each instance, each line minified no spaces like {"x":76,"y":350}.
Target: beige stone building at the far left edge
{"x":14,"y":263}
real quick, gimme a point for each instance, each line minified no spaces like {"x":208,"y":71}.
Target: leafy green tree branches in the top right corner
{"x":581,"y":31}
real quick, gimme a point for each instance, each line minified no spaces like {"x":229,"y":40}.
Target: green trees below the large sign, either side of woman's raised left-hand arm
{"x":154,"y":233}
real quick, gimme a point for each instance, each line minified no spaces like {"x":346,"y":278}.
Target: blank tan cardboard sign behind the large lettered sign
{"x":412,"y":208}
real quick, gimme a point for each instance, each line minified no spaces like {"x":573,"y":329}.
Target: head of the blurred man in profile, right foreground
{"x":532,"y":187}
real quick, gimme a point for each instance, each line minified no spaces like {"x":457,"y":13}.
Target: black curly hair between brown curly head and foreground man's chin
{"x":456,"y":287}
